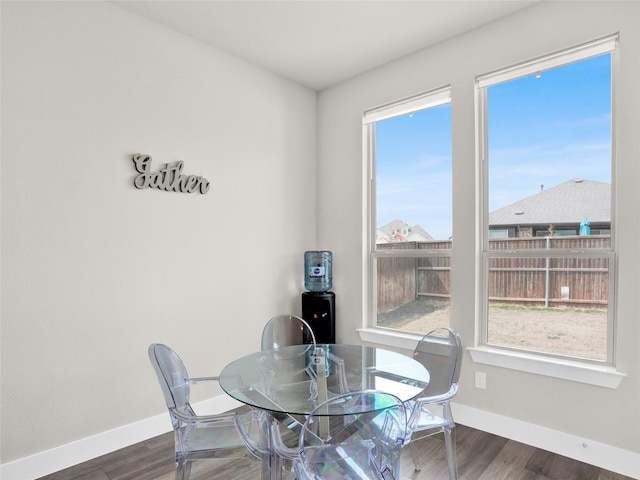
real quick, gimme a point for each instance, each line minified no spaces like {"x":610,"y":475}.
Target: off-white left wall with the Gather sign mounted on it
{"x":94,"y":270}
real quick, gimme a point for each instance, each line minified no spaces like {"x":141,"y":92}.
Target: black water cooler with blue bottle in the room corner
{"x":319,"y":304}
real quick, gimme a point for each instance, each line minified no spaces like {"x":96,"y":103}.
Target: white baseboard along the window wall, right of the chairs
{"x":584,"y":450}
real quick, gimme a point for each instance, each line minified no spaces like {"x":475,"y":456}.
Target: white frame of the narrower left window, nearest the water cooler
{"x":423,"y":101}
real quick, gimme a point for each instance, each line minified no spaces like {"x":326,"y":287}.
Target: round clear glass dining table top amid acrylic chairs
{"x":292,"y":381}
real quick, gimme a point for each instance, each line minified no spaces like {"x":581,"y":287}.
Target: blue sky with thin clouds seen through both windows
{"x":543,"y":130}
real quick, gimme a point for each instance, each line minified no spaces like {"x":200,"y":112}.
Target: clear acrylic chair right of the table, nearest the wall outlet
{"x":440,"y":351}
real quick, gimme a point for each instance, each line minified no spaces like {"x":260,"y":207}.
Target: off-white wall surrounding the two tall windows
{"x":609,"y":416}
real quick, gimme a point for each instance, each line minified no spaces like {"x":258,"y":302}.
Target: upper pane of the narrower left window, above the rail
{"x":413,"y":176}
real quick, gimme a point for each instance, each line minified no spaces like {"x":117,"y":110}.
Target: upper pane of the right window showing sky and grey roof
{"x":549,"y":138}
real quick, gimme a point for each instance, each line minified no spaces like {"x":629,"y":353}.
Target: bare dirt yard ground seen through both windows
{"x":577,"y":333}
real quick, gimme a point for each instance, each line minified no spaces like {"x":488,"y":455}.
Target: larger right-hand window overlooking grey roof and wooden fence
{"x":546,"y":149}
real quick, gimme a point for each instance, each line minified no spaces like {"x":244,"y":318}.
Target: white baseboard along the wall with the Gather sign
{"x":59,"y":458}
